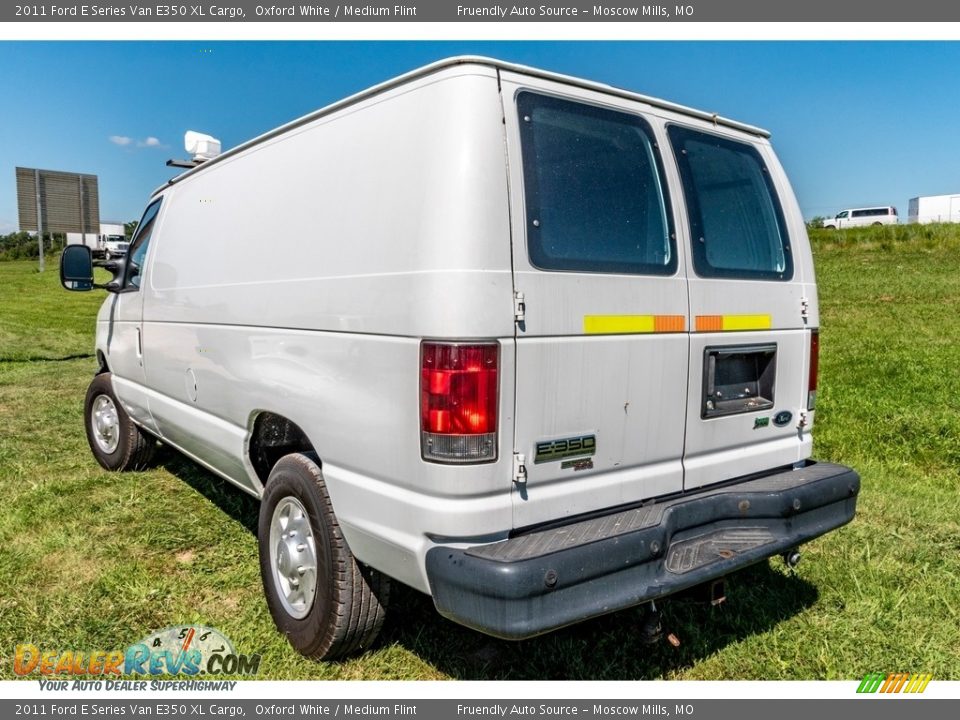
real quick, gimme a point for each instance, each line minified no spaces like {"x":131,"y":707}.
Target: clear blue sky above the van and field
{"x":855,"y":123}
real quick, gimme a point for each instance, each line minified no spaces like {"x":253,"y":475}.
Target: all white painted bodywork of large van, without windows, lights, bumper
{"x":300,"y":274}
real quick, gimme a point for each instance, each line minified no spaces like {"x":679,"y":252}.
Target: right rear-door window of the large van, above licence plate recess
{"x":737,"y":225}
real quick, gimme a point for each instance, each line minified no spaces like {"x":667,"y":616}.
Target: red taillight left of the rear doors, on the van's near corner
{"x":458,"y":401}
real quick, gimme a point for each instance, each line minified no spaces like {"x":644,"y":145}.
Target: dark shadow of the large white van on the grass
{"x":606,"y":648}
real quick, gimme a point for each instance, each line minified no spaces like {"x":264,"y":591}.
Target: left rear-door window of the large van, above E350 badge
{"x":594,"y":188}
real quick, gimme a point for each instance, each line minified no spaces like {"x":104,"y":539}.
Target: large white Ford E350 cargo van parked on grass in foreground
{"x":539,"y":347}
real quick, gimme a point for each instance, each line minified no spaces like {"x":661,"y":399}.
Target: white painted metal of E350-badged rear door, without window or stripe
{"x":627,"y":390}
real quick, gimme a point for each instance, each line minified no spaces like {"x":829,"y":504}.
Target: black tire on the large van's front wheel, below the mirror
{"x":133,"y":448}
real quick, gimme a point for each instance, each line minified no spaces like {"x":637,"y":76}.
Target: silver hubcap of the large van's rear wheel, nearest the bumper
{"x":293,"y":557}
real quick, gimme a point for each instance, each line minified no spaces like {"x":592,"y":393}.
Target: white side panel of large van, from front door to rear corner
{"x":327,"y":331}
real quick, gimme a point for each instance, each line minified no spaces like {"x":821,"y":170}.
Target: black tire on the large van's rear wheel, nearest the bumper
{"x":349,"y":604}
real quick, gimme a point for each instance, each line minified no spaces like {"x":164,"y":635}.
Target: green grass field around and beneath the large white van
{"x":93,"y":560}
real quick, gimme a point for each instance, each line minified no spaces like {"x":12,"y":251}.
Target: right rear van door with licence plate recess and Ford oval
{"x":749,"y":343}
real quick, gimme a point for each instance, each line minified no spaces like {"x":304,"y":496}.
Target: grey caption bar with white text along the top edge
{"x":619,"y":11}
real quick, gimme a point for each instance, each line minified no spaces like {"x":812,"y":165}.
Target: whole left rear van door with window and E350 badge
{"x":602,"y":343}
